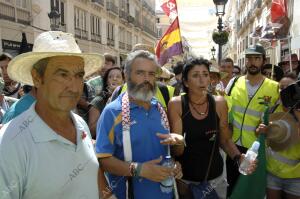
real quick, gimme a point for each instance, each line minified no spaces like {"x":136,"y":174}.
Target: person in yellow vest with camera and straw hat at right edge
{"x":283,"y":152}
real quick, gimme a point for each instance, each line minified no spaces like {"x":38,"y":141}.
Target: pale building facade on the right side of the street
{"x":251,"y":15}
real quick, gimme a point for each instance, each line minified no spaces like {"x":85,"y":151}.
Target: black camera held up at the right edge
{"x":290,"y":96}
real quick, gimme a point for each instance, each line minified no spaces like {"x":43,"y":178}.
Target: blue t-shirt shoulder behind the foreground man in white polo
{"x":18,"y":107}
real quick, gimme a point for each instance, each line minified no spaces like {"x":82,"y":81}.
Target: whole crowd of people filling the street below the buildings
{"x":78,"y":125}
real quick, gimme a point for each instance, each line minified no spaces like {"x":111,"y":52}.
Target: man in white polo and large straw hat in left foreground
{"x":47,"y":152}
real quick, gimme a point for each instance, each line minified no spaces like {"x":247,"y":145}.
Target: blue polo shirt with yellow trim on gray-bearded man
{"x":144,"y":143}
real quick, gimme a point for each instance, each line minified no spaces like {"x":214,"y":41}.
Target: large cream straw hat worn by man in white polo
{"x":51,"y":44}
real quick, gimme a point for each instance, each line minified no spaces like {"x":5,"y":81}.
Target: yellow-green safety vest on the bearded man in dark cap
{"x":247,"y":113}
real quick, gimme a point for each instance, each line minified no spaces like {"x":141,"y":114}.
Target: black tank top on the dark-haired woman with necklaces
{"x":200,"y":136}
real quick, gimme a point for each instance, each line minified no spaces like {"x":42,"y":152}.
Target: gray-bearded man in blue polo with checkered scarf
{"x":133,"y":135}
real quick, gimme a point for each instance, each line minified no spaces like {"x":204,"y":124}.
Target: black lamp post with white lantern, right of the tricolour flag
{"x":220,"y":12}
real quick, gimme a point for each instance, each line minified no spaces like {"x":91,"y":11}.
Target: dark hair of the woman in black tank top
{"x":189,"y":66}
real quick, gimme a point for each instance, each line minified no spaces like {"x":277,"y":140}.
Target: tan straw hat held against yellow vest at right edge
{"x":282,"y":132}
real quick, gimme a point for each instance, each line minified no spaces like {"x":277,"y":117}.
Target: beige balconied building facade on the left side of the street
{"x":101,"y":26}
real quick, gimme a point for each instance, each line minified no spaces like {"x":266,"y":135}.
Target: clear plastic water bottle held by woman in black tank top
{"x":249,"y":157}
